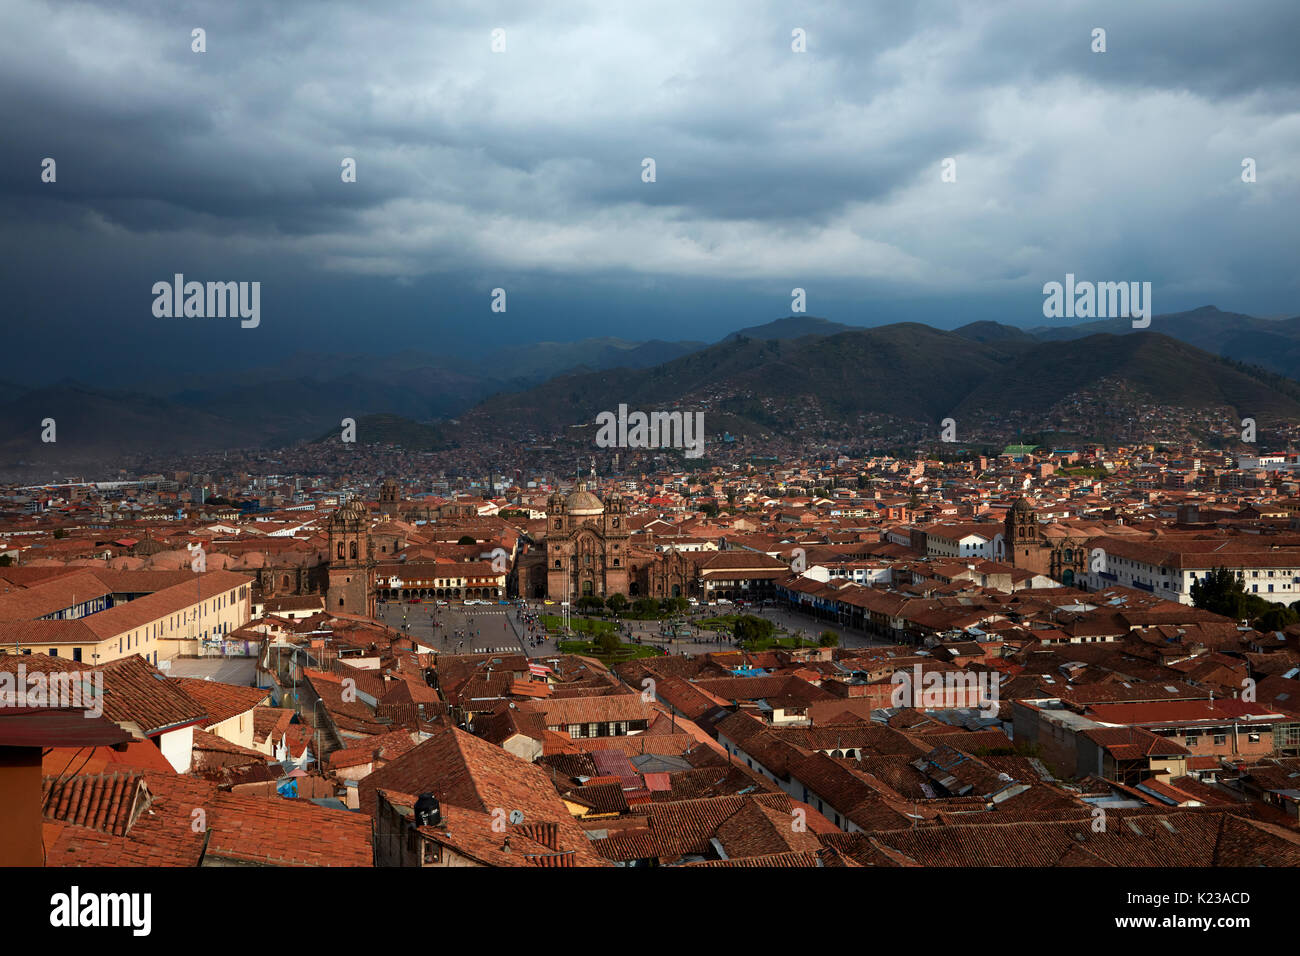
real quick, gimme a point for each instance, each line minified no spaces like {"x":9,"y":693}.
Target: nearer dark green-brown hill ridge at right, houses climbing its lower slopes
{"x":905,"y":370}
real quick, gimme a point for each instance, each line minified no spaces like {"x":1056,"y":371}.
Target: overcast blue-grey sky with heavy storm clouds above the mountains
{"x":523,"y":170}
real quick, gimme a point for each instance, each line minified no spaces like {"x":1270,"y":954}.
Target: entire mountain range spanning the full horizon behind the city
{"x":760,"y":378}
